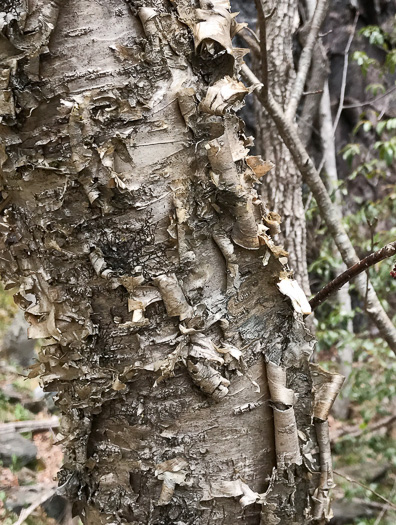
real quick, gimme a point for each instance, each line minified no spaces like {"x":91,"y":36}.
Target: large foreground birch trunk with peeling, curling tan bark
{"x":130,"y":214}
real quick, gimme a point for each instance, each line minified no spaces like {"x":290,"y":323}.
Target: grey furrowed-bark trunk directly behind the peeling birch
{"x":282,"y":186}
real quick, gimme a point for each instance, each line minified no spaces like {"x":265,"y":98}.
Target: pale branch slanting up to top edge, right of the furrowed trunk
{"x":306,"y":58}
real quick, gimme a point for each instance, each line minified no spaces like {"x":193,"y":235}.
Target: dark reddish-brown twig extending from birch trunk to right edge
{"x":387,"y":251}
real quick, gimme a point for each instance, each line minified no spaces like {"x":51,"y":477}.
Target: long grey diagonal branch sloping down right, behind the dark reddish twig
{"x":290,"y":137}
